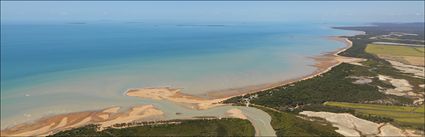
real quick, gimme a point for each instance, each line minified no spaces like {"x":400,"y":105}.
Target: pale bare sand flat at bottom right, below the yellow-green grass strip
{"x":349,"y":125}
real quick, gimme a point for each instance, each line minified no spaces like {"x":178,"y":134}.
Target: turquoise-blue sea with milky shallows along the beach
{"x":58,"y":68}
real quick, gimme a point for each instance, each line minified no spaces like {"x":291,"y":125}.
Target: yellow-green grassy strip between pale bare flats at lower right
{"x":403,"y":115}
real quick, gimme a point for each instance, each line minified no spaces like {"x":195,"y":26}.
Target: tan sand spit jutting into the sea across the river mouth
{"x":175,"y":96}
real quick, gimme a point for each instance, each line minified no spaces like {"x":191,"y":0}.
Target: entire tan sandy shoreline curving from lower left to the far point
{"x":323,"y":64}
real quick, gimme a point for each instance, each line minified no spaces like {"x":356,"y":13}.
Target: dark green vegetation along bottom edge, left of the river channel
{"x":214,"y":127}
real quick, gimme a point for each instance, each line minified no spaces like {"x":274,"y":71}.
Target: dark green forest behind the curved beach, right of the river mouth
{"x":331,"y":86}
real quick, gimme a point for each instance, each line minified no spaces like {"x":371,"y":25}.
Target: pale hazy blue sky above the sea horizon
{"x":213,"y":11}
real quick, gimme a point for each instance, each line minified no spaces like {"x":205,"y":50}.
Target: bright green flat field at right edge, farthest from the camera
{"x":395,"y":50}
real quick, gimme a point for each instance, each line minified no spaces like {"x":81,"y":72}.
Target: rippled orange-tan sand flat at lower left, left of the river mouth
{"x":105,"y":118}
